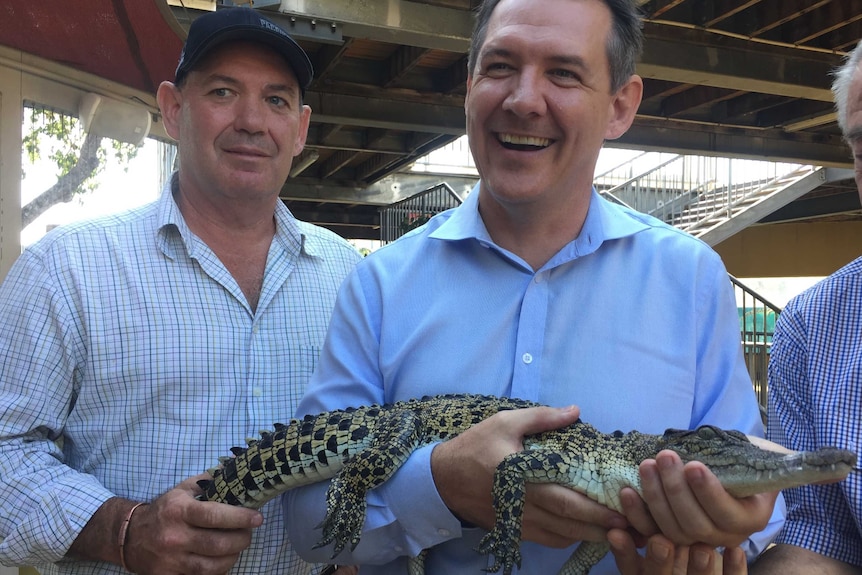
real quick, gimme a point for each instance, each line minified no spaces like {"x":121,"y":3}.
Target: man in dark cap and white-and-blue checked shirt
{"x":137,"y":349}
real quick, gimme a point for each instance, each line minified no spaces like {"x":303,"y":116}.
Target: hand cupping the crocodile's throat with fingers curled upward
{"x":688,"y":505}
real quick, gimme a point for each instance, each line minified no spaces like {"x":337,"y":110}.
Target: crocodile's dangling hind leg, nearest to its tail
{"x":397,"y":435}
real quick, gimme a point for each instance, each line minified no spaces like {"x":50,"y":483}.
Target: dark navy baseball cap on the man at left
{"x":240,"y":23}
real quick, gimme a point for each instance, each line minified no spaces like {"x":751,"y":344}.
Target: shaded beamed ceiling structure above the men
{"x":745,"y":78}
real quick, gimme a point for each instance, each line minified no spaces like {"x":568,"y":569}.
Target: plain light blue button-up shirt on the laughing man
{"x":634,"y":321}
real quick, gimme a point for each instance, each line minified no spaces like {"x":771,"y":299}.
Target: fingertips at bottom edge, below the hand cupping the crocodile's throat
{"x":663,"y":558}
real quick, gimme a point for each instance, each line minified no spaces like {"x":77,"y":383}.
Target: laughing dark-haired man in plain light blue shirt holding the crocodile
{"x":538,"y":288}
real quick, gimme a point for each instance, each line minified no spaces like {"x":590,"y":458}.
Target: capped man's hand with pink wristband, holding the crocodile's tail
{"x":178,"y":534}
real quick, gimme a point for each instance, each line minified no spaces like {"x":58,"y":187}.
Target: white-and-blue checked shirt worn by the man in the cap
{"x":128,"y":340}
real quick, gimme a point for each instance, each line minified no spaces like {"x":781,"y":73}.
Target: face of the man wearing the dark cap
{"x":239,"y":122}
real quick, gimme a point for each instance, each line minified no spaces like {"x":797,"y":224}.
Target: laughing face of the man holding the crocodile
{"x":539,"y":105}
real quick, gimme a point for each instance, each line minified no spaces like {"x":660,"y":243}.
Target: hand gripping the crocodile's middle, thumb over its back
{"x":555,"y":516}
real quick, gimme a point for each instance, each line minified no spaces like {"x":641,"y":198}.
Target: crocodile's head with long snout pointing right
{"x":745,"y":468}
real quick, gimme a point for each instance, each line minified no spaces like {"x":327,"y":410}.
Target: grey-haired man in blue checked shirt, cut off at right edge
{"x":815,"y":385}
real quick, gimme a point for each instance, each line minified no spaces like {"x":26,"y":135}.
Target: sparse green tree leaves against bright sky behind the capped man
{"x":59,"y":138}
